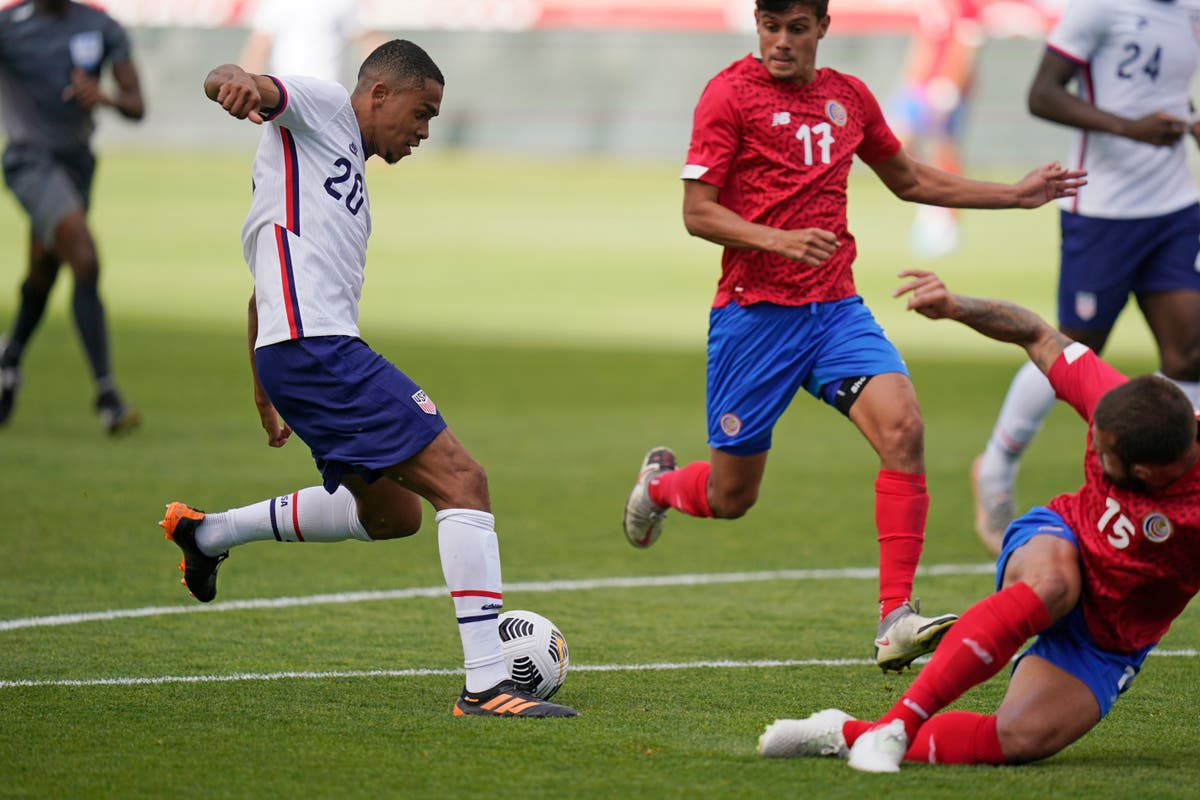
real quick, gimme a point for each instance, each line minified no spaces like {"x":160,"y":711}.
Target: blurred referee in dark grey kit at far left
{"x":52,"y":55}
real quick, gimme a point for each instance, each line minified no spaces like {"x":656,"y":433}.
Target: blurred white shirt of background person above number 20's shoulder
{"x":310,"y":37}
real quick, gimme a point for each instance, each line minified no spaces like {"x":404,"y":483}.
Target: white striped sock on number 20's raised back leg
{"x":310,"y":515}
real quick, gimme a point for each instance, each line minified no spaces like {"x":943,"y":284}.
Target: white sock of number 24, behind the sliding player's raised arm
{"x":1029,"y":400}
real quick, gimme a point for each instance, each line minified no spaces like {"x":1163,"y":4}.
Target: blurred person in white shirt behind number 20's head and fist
{"x":309,"y":39}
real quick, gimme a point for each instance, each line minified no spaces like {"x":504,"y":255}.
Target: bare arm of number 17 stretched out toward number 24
{"x":917,"y":183}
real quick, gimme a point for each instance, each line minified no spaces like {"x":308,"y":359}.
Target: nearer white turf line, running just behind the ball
{"x":415,"y":673}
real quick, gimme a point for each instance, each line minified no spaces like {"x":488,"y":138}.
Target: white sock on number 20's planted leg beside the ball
{"x":471,"y":563}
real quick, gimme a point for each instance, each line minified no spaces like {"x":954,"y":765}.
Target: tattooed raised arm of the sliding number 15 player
{"x":999,"y":320}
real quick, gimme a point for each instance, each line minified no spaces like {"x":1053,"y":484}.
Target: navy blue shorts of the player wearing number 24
{"x":1106,"y":261}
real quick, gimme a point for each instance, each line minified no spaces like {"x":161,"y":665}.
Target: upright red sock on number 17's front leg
{"x":902,"y":506}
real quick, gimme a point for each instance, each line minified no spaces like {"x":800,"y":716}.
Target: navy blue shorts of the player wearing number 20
{"x":355,"y":410}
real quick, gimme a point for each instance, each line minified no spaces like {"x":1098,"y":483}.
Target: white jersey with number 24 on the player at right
{"x":1136,"y":58}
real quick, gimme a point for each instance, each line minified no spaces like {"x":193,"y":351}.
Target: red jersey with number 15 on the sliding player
{"x":1141,"y":552}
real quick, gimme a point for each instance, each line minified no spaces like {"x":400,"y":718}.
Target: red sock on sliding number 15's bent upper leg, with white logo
{"x":983,"y":641}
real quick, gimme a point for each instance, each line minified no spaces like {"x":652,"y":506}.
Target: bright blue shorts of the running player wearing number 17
{"x":760,"y":356}
